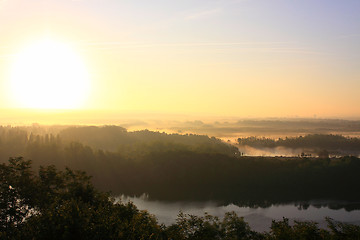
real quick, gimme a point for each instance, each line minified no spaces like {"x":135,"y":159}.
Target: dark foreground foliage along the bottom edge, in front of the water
{"x":53,"y":204}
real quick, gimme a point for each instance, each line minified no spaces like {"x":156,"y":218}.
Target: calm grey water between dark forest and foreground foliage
{"x":258,"y":218}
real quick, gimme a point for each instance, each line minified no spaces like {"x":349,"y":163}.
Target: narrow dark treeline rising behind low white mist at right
{"x":311,"y":141}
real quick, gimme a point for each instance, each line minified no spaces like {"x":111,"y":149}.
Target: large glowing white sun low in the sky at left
{"x":49,"y":75}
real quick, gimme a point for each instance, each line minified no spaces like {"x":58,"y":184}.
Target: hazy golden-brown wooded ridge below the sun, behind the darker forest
{"x":21,"y":140}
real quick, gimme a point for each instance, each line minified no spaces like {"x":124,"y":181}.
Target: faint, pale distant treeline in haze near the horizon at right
{"x":266,"y":126}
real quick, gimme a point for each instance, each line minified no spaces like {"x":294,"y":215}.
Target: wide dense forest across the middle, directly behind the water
{"x":184,"y":167}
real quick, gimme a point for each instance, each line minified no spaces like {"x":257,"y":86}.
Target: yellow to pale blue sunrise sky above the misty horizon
{"x":238,"y":58}
